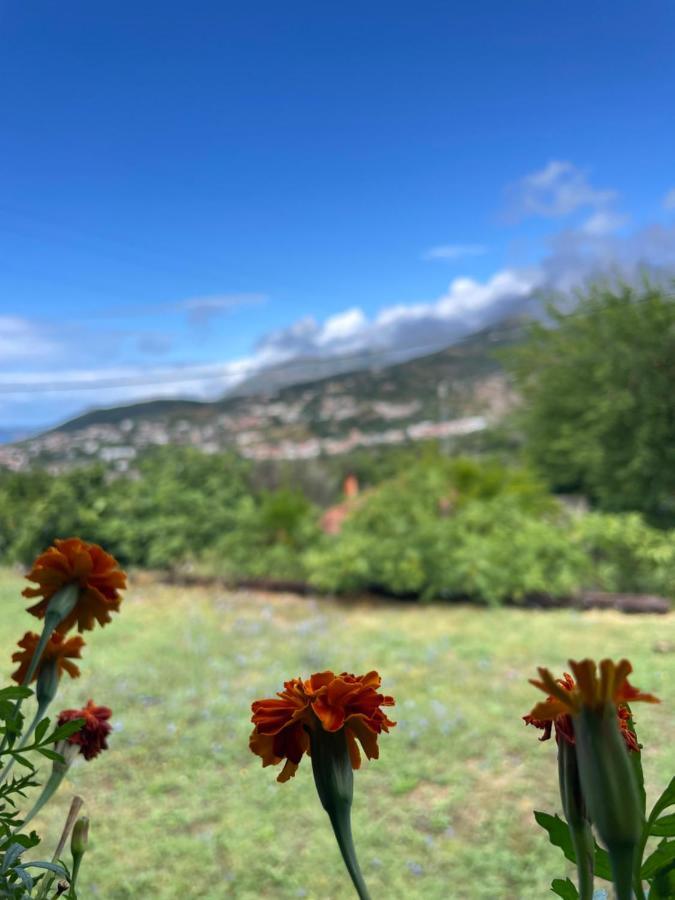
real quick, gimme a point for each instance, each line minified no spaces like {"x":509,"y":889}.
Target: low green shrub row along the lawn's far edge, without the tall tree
{"x":437,"y":528}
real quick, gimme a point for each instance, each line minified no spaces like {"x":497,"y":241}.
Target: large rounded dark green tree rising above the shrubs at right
{"x":598,"y":391}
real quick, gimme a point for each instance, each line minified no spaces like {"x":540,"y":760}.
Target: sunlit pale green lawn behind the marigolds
{"x":181,"y":809}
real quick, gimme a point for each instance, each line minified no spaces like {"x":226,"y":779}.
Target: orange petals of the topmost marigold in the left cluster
{"x":97,"y":572}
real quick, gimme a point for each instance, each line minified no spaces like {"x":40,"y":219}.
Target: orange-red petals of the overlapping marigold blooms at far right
{"x":566,"y":697}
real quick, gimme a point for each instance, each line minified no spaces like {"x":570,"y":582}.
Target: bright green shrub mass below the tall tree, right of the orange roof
{"x":461,"y":530}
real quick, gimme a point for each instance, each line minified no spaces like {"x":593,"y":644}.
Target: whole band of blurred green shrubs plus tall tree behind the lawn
{"x":575,"y":491}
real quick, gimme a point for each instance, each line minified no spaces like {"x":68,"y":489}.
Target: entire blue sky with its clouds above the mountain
{"x":189,"y":191}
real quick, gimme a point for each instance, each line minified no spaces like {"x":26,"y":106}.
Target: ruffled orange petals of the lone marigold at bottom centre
{"x":324,"y":700}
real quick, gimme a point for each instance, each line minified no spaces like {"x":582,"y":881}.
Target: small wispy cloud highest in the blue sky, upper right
{"x":557,"y":190}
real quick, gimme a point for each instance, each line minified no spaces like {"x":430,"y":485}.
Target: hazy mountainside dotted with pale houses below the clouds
{"x":457,"y":389}
